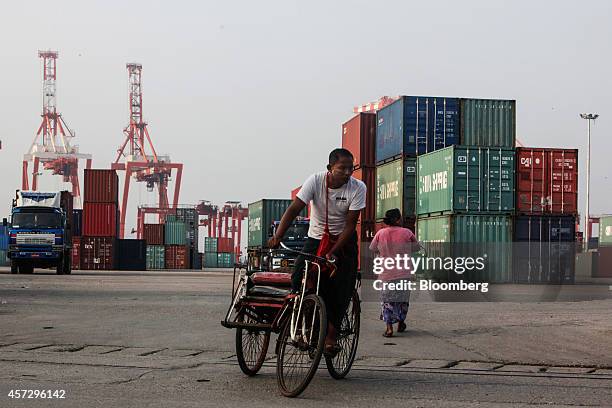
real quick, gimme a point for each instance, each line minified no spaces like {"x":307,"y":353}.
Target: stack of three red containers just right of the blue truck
{"x":100,"y":220}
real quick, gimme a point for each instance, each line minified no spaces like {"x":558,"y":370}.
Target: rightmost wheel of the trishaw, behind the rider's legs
{"x":348,"y":338}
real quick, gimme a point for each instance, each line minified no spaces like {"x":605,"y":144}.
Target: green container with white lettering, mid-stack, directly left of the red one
{"x":466,"y":179}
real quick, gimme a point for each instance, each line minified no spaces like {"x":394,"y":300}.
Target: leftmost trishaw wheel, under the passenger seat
{"x":251,"y":346}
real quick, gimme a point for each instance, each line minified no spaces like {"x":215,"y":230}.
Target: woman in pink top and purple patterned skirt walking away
{"x":387,"y":243}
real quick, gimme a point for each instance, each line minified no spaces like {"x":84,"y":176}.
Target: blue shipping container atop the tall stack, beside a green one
{"x":415,"y":125}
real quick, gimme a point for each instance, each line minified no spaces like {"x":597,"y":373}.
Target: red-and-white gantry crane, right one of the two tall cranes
{"x":140,"y":160}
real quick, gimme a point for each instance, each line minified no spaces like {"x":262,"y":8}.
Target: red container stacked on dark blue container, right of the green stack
{"x":546,"y":207}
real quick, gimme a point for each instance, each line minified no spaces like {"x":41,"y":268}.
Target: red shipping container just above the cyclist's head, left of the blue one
{"x":359,"y":137}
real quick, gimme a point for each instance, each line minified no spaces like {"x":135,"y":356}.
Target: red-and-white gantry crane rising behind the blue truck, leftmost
{"x":52,"y":144}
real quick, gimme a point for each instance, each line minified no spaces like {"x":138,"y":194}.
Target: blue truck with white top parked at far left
{"x":40,"y":234}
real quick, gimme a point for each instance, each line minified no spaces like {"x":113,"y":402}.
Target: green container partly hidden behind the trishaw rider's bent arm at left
{"x":261,"y":216}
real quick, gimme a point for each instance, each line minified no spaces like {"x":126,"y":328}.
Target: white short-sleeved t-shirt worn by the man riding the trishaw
{"x":350,"y":196}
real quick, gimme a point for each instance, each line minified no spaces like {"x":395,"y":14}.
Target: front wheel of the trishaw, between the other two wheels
{"x":298,"y":359}
